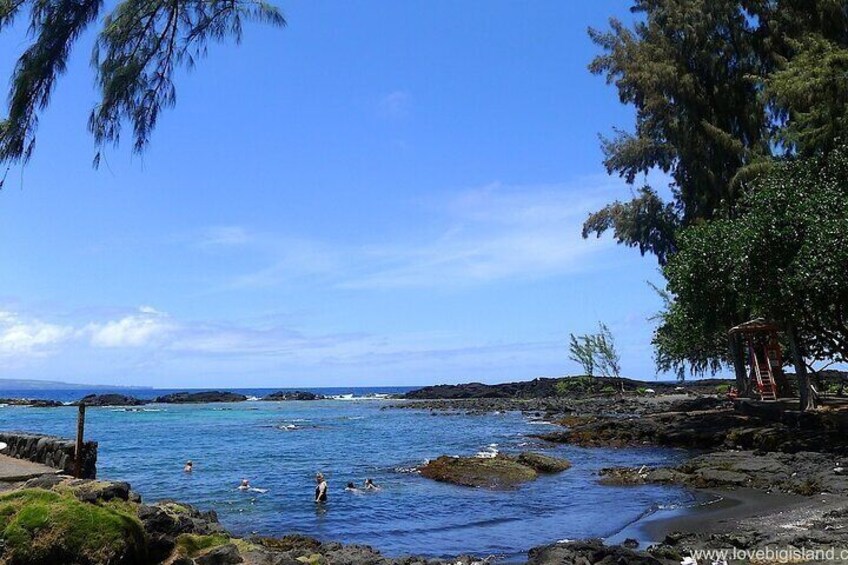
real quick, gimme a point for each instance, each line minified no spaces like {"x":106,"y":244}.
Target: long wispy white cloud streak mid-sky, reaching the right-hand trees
{"x":474,"y":237}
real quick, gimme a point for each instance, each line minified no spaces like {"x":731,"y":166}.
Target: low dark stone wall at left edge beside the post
{"x":52,"y":451}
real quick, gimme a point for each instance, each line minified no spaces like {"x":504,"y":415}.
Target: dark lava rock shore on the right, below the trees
{"x":789,"y":470}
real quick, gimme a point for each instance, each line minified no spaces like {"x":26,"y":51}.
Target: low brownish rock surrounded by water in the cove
{"x":499,"y":472}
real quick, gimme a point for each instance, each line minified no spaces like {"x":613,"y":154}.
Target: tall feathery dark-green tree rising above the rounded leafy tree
{"x":719,"y":91}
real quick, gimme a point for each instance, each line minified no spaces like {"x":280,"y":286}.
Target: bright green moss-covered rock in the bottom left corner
{"x":47,"y":527}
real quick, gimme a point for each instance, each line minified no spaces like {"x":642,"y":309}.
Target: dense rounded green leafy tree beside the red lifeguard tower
{"x":783,"y":257}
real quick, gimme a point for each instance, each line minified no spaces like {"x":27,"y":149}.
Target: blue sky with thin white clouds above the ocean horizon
{"x":381,"y":193}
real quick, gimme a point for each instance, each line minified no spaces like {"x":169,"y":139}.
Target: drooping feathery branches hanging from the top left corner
{"x":137,"y":51}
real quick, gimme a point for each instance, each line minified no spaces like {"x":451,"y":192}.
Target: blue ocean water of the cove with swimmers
{"x":279,"y":446}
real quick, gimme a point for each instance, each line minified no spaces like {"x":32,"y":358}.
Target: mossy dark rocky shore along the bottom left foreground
{"x":107,"y":522}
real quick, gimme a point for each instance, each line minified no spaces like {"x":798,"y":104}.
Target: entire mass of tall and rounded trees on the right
{"x":742,"y":105}
